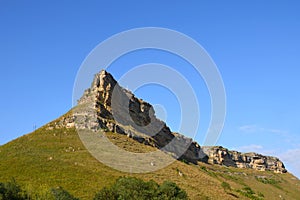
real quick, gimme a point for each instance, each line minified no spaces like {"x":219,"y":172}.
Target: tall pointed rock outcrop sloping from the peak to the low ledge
{"x":108,"y":106}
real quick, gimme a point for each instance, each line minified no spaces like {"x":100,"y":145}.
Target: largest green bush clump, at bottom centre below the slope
{"x":129,"y":188}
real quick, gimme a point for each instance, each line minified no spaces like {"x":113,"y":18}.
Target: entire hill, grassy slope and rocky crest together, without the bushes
{"x":55,"y":156}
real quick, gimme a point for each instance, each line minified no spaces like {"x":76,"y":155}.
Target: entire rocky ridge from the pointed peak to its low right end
{"x":108,"y":106}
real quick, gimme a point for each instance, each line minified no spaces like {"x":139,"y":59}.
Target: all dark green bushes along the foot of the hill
{"x":124,"y":188}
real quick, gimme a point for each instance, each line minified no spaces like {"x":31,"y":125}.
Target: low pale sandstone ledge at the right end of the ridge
{"x":222,"y":156}
